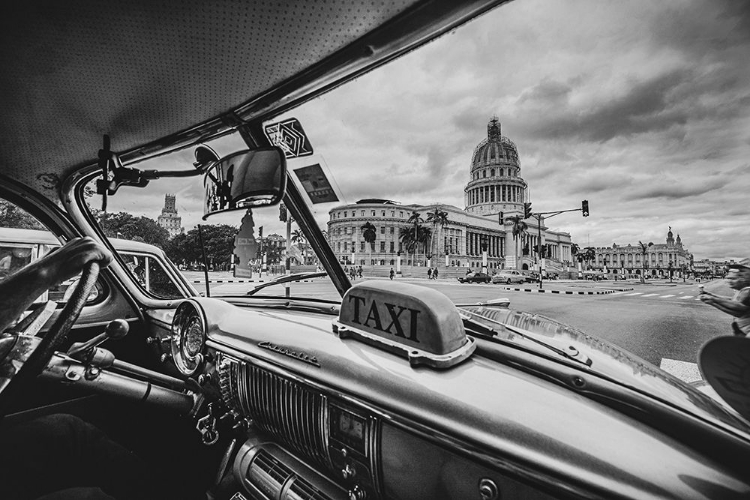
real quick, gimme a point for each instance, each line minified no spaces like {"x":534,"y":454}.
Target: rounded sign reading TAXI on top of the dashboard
{"x":419,"y":323}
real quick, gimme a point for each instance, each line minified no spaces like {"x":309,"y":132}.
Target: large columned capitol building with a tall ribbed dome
{"x":472,"y":237}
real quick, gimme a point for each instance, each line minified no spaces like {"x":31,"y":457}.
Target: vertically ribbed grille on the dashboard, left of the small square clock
{"x":289,"y":411}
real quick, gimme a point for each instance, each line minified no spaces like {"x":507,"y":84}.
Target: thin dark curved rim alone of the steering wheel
{"x":35,"y":363}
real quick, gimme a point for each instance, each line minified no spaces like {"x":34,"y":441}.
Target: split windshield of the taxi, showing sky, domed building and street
{"x":605,"y":166}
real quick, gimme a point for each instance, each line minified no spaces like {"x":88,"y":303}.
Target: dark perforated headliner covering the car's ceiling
{"x":160,"y":75}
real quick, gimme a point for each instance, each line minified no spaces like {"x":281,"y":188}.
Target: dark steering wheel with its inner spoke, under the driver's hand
{"x":24,"y":357}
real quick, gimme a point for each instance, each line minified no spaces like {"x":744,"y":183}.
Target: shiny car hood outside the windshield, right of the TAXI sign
{"x":604,"y":360}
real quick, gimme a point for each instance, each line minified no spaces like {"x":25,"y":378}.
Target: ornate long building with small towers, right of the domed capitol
{"x":657,"y":260}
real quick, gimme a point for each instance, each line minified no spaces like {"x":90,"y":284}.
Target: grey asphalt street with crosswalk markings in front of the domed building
{"x":661,"y":322}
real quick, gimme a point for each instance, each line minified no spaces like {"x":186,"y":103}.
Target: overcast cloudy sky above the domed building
{"x":641,"y":107}
